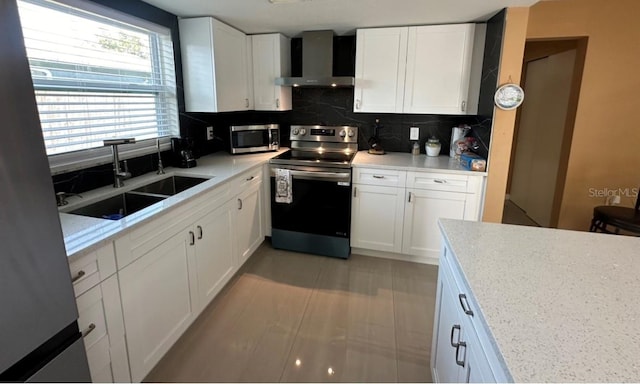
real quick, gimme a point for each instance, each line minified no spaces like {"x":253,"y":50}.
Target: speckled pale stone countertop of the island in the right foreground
{"x":561,"y":306}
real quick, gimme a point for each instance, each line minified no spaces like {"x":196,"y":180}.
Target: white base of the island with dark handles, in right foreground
{"x":460,"y":348}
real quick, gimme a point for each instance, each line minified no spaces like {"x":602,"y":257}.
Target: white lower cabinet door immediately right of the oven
{"x":376,"y":217}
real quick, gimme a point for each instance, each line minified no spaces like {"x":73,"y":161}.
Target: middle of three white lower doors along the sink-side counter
{"x":214,"y":252}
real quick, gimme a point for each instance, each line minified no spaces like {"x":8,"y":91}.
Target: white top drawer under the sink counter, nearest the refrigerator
{"x":90,"y":269}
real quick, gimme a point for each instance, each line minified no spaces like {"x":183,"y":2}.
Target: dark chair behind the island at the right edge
{"x":618,"y":218}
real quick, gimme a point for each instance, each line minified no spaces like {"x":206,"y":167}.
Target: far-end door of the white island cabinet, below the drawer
{"x":447,"y":333}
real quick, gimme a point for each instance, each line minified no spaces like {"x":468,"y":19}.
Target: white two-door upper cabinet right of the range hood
{"x":432,"y":69}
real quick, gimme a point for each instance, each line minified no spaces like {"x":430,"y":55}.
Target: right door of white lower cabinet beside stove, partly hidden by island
{"x":421,"y":236}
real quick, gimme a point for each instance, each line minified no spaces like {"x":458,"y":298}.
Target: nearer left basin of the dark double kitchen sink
{"x":118,"y":206}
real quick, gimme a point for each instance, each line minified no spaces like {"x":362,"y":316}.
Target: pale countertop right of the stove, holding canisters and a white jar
{"x":406,"y":161}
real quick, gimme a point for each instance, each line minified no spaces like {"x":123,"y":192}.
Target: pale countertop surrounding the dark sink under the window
{"x":82,"y":234}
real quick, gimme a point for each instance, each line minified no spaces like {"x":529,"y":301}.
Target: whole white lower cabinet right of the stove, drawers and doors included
{"x":397,"y":211}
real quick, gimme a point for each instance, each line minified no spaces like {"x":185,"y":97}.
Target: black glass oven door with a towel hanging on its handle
{"x":321,"y":202}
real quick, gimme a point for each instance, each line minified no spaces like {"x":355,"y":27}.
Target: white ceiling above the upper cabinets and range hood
{"x":291,"y":17}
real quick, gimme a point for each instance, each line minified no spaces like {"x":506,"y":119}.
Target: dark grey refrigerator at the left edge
{"x":39,"y":336}
